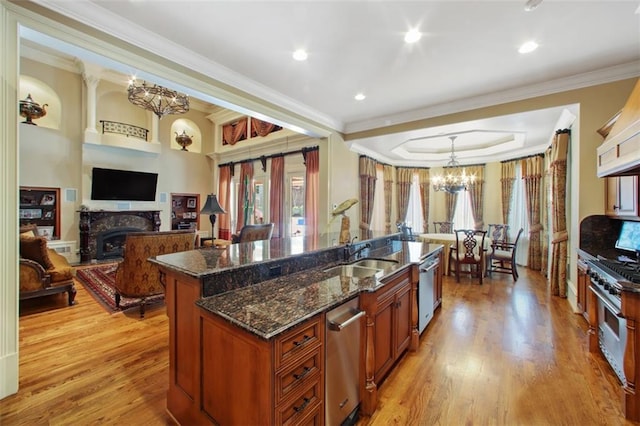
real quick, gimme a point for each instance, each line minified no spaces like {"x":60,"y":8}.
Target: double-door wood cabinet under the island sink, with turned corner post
{"x":391,"y":322}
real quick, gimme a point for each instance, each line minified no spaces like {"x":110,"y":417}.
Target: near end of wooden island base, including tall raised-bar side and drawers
{"x":222,"y":374}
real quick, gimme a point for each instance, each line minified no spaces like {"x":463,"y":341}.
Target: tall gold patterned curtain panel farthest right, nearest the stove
{"x":560,"y":236}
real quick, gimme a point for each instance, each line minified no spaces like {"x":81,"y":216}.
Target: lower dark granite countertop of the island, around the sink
{"x":271,"y":307}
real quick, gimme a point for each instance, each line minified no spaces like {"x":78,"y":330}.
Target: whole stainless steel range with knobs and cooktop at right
{"x":608,"y":277}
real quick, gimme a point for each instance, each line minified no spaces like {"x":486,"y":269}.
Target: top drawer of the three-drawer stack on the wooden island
{"x":298,"y":342}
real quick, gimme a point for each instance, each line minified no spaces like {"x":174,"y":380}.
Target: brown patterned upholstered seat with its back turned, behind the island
{"x":138,"y":278}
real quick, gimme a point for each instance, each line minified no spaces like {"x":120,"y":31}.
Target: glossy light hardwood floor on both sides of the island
{"x":496,"y":354}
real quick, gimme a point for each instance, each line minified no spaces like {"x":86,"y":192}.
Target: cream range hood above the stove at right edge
{"x":619,"y":154}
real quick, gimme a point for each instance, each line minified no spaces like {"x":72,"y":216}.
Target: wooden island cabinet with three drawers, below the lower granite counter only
{"x":280,"y":381}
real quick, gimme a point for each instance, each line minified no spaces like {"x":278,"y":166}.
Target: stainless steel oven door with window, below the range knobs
{"x":612,"y":333}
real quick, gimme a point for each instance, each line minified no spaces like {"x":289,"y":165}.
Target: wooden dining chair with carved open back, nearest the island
{"x":468,"y":250}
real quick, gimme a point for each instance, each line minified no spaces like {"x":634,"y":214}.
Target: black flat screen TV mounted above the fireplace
{"x":123,"y":185}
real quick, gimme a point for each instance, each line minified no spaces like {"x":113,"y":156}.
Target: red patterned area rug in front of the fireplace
{"x":99,"y":281}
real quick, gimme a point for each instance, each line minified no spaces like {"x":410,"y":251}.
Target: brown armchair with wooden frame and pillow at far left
{"x":43,"y":271}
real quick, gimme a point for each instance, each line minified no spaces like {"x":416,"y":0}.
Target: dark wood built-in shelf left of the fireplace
{"x":41,"y":206}
